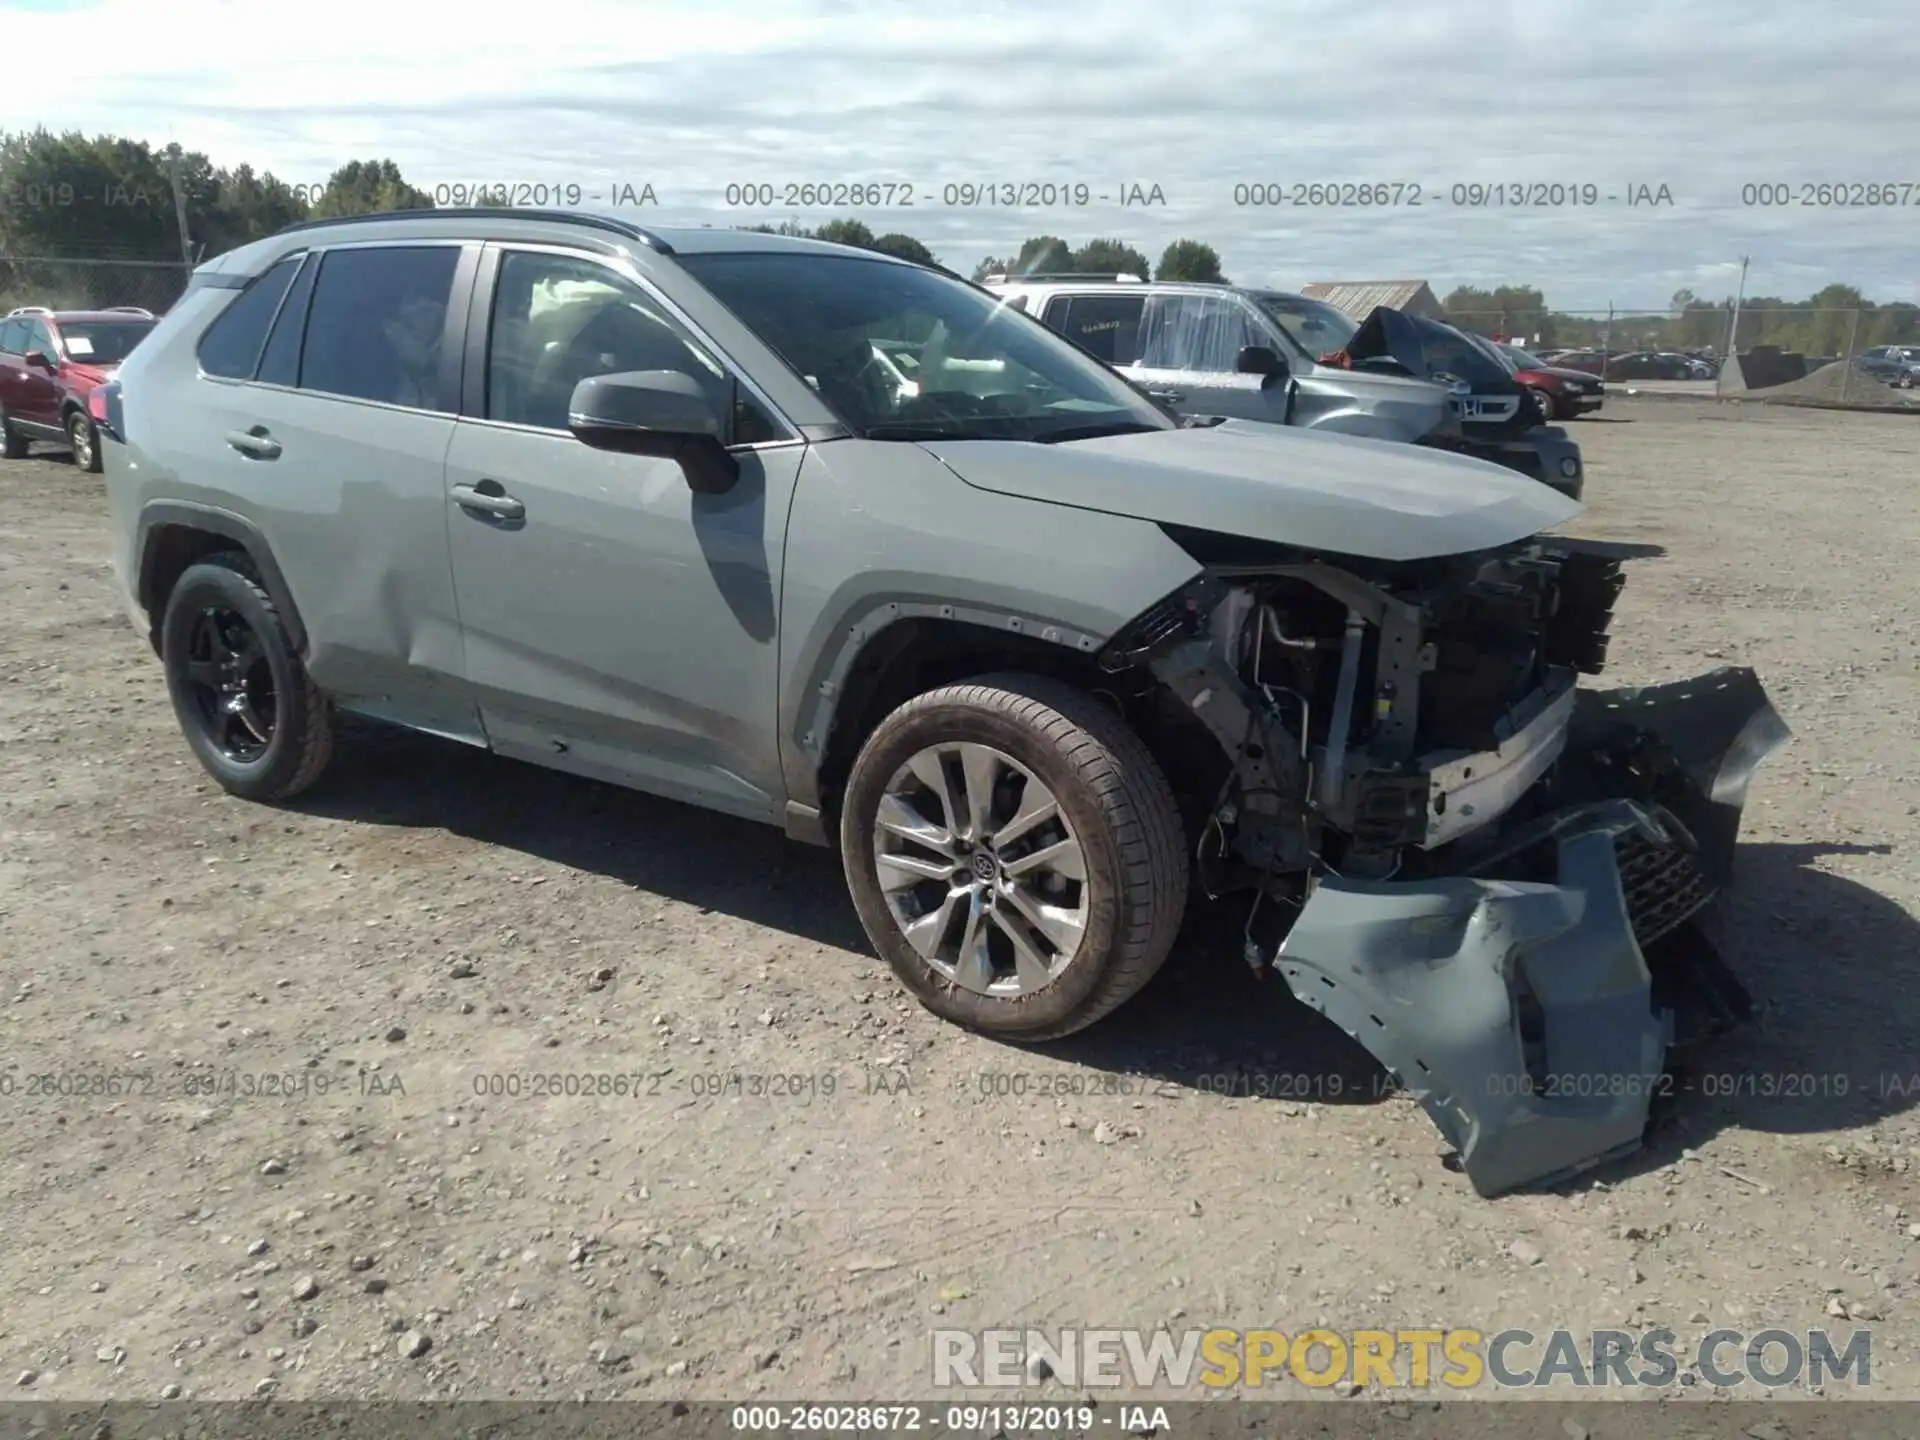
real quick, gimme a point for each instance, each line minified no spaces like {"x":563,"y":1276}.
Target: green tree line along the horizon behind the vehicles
{"x":103,"y":199}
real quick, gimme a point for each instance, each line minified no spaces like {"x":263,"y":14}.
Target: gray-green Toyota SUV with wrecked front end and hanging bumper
{"x":850,"y":546}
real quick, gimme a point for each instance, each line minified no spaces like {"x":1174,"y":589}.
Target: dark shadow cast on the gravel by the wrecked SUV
{"x":1827,"y":959}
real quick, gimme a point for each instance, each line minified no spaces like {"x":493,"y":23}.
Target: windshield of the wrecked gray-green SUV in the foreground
{"x":907,"y":354}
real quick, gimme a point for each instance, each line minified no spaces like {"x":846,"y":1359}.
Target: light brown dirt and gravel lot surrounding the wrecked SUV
{"x":435,"y":924}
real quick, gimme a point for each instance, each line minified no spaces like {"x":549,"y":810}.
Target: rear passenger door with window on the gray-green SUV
{"x":329,"y":393}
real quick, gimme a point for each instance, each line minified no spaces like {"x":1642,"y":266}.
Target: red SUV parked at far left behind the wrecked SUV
{"x":51,"y":362}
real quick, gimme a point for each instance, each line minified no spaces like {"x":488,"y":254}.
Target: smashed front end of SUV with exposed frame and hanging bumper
{"x":1487,"y":875}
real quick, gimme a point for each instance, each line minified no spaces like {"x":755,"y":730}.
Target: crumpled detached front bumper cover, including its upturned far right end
{"x":1520,"y":1013}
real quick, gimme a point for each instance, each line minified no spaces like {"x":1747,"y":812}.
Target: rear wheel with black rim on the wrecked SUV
{"x":247,"y":706}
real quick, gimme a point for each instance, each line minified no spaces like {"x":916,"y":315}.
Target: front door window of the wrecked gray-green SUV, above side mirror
{"x":564,"y":320}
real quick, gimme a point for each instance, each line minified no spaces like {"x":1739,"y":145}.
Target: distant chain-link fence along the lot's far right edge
{"x":1867,"y":356}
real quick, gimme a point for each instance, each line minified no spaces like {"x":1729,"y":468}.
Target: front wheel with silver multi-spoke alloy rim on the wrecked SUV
{"x":1015,"y":853}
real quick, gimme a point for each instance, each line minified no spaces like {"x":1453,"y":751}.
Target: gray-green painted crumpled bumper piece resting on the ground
{"x":1429,"y":974}
